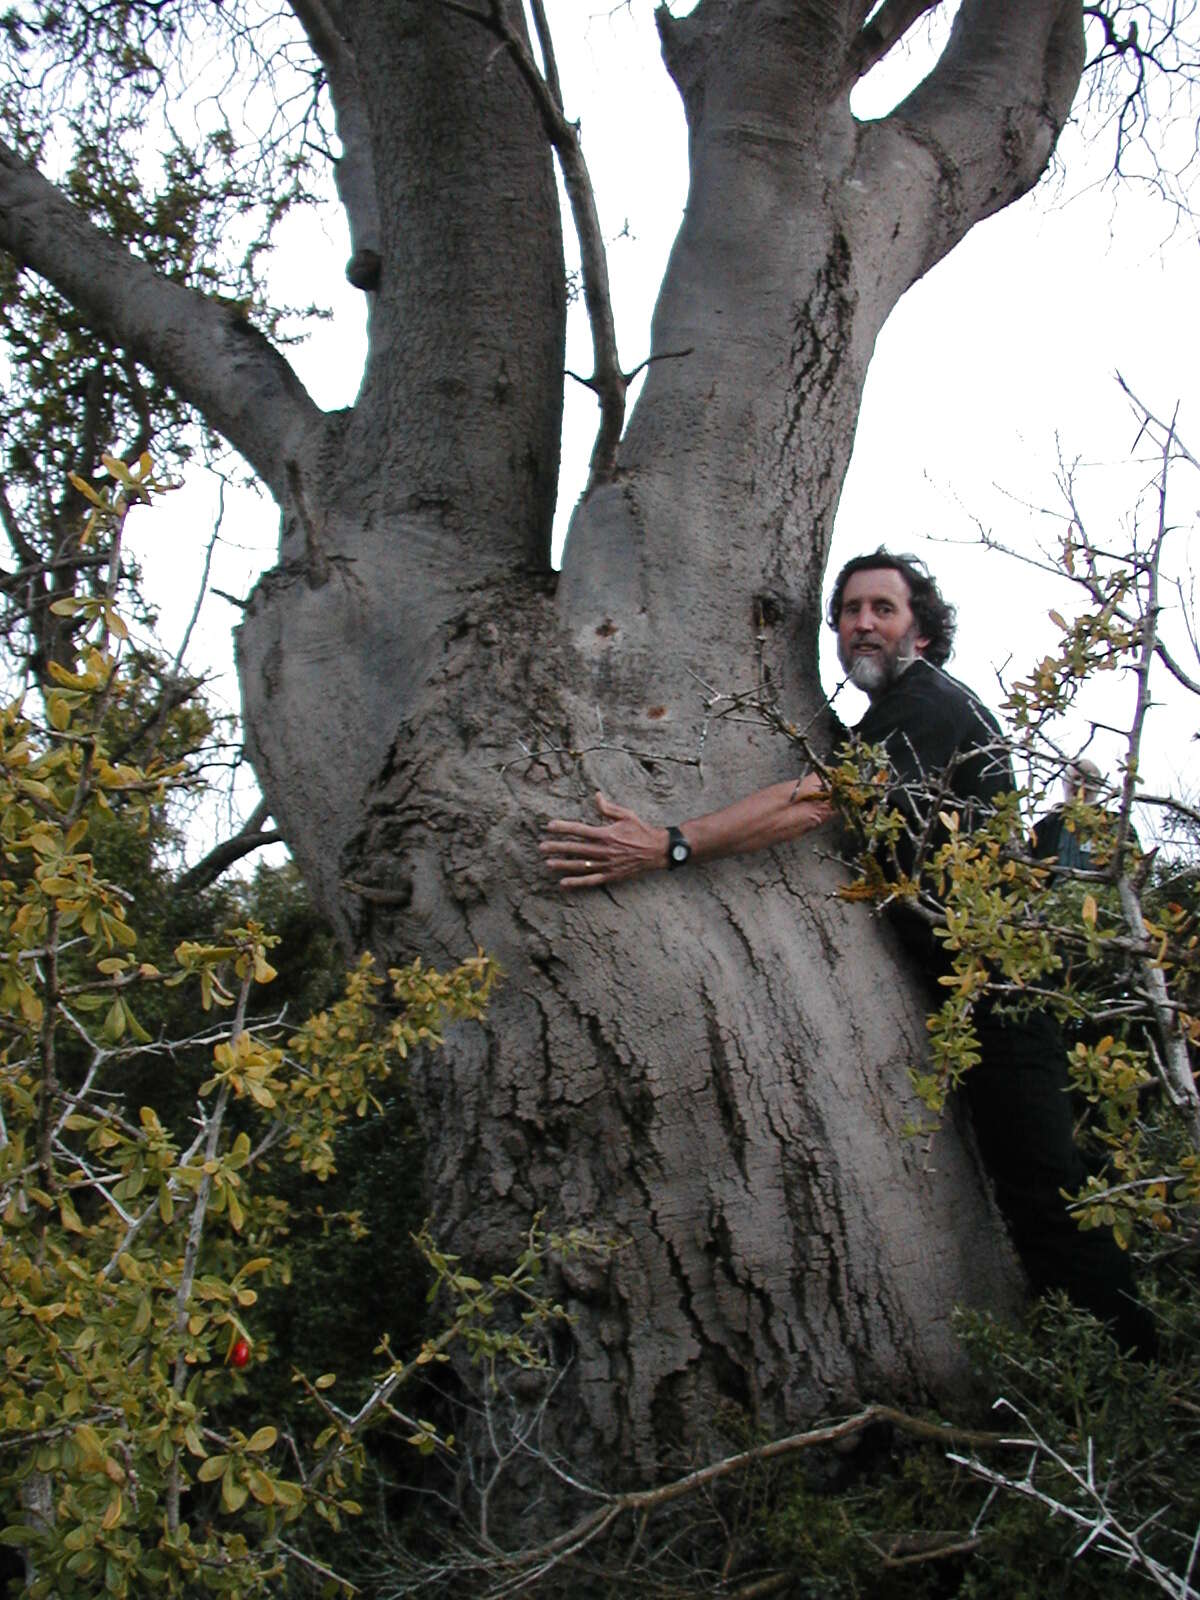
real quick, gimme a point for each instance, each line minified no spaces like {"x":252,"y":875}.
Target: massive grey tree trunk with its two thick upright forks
{"x":710,"y":1065}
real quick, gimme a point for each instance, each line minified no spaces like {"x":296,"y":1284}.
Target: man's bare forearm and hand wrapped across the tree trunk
{"x":625,"y":847}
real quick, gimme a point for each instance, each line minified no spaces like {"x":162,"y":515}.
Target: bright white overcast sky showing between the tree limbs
{"x":1001,"y":361}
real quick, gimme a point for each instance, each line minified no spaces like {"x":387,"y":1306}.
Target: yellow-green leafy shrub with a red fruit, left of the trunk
{"x":142,"y":1172}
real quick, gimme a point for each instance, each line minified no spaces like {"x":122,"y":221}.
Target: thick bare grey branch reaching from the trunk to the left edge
{"x":206,"y":350}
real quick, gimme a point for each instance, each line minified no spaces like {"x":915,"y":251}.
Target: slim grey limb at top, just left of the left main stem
{"x":354,"y":170}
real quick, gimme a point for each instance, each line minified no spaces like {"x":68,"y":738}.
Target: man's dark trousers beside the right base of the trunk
{"x":1023,"y":1126}
